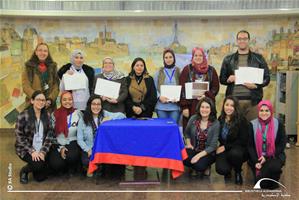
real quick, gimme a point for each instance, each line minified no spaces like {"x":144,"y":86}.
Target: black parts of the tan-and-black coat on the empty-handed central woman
{"x":149,"y":102}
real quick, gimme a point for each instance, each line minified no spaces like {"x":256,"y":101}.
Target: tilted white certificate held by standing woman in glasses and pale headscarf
{"x":107,"y":88}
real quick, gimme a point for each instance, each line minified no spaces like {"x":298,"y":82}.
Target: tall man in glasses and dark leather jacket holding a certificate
{"x":245,"y":73}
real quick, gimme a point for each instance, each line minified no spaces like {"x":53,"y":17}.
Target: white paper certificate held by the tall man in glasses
{"x":249,"y":75}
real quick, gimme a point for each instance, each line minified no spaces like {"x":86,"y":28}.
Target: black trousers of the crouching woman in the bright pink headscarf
{"x":272,"y":168}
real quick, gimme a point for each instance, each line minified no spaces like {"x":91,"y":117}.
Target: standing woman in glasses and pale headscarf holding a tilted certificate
{"x":113,"y":80}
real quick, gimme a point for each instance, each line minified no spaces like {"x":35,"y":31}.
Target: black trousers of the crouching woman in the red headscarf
{"x":71,"y":162}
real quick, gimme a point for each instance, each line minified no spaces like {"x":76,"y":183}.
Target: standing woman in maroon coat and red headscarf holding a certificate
{"x":206,"y":79}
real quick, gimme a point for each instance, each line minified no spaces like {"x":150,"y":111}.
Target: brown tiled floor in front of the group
{"x":79,"y":187}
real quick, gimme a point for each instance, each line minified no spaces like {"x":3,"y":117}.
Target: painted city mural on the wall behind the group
{"x":277,"y":38}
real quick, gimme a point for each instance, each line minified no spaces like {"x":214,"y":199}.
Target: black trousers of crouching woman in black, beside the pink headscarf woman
{"x":231,"y":159}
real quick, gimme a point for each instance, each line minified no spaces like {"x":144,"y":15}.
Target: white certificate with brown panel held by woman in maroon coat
{"x":193,"y":90}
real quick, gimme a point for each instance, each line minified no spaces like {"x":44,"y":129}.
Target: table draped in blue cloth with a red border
{"x":153,"y":143}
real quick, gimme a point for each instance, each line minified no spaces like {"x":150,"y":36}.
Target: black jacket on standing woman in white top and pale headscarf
{"x":87,"y":70}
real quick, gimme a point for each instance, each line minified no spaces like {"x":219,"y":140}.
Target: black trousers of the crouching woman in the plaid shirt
{"x":39,"y":169}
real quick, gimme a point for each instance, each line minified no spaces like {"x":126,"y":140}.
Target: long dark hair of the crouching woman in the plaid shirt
{"x":44,"y":117}
